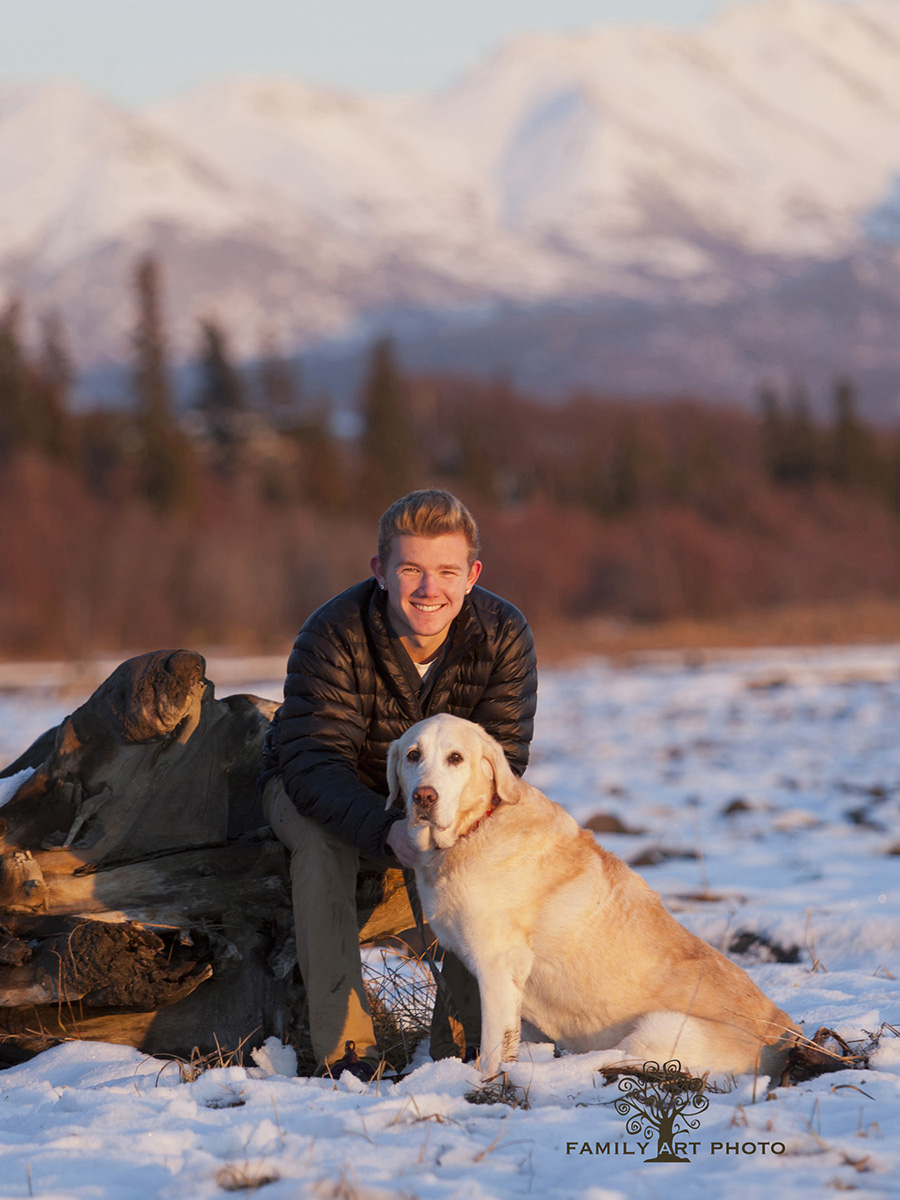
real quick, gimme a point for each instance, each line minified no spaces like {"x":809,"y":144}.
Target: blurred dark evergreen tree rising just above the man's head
{"x":387,"y":430}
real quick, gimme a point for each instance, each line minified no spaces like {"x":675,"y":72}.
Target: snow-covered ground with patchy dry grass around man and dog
{"x":765,"y":788}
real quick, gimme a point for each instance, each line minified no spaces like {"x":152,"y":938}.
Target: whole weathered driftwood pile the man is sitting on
{"x":141,"y":901}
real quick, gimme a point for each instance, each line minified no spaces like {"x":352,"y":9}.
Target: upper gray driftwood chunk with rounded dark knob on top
{"x":142,"y":767}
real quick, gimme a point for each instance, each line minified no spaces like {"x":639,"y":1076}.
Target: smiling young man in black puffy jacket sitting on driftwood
{"x":417,"y":639}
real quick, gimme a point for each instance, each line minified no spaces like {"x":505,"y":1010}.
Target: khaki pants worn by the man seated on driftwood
{"x":323,"y":883}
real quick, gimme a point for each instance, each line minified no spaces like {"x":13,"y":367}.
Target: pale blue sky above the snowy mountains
{"x":141,"y":51}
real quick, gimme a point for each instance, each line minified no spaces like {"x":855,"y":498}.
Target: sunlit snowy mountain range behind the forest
{"x":691,"y":209}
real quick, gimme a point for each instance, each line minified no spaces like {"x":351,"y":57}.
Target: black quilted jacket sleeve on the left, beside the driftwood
{"x":323,"y":729}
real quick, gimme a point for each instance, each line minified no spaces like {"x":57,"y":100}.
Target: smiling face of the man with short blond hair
{"x":427,"y":580}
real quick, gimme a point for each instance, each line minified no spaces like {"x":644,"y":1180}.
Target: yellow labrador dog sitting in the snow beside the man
{"x":560,"y":932}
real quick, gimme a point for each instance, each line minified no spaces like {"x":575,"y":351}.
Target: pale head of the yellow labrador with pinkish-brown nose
{"x":448,"y":772}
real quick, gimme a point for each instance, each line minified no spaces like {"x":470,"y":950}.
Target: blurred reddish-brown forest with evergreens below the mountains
{"x":227,"y":524}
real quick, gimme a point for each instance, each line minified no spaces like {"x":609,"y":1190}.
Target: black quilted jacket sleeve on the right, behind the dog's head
{"x":509,"y":701}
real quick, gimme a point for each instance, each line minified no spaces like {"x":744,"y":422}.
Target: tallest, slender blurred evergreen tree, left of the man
{"x":166,"y":471}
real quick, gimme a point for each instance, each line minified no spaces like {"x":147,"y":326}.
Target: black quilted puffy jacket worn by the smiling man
{"x":352,"y":689}
